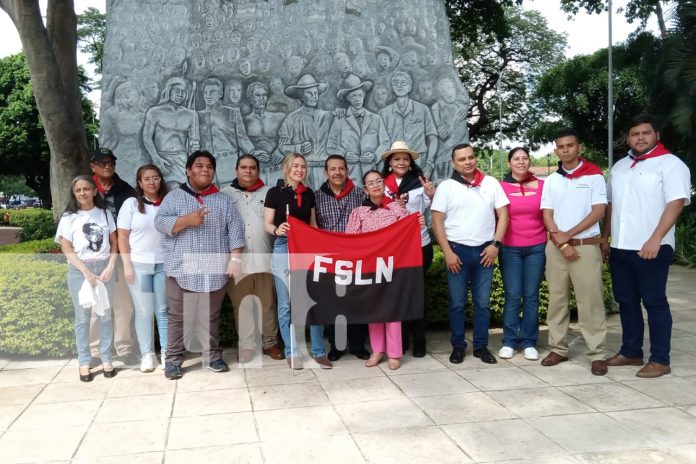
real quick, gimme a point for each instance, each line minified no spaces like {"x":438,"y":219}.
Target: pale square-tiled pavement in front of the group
{"x":427,"y":411}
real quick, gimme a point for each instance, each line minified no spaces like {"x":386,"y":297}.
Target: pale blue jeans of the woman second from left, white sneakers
{"x":149,"y":297}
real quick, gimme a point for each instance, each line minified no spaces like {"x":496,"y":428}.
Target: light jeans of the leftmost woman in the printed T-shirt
{"x":83,"y":315}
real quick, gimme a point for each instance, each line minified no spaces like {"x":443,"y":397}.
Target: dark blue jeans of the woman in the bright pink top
{"x":522,"y":268}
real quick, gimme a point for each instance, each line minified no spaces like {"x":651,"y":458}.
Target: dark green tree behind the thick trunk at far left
{"x":24,"y":150}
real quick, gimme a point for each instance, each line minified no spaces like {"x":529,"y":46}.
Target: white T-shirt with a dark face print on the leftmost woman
{"x":88,"y":231}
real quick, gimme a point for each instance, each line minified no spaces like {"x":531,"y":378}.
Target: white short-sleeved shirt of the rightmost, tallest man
{"x":639,"y":195}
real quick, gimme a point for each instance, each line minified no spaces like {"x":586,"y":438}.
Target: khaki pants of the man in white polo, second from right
{"x":585,"y":274}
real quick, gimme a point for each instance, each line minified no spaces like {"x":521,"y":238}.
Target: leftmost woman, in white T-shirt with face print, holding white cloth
{"x":87,"y":236}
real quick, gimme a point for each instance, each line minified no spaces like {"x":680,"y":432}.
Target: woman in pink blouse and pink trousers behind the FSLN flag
{"x":379,"y":211}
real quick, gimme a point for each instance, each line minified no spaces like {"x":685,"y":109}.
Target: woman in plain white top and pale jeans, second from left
{"x":142,"y":251}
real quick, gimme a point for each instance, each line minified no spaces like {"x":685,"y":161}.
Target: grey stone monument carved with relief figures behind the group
{"x":272,"y":77}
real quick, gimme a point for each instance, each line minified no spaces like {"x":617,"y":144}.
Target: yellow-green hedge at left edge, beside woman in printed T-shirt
{"x":36,"y":312}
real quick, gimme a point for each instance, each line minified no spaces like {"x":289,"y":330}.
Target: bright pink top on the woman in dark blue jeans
{"x":526,"y":227}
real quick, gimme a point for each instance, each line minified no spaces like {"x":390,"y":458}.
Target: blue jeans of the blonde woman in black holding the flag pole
{"x":279,"y":266}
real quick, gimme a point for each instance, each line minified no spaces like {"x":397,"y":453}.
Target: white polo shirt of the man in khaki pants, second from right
{"x":572,"y":199}
